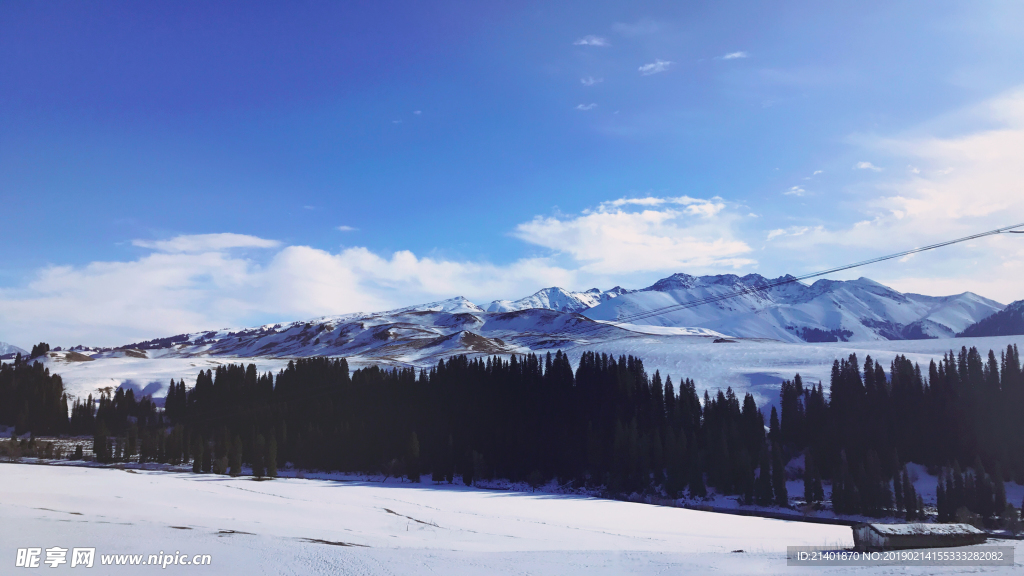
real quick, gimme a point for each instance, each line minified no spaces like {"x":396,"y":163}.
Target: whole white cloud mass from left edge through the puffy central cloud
{"x":193,"y":283}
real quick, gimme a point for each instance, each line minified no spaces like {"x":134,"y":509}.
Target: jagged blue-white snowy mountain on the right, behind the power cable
{"x":851,"y":311}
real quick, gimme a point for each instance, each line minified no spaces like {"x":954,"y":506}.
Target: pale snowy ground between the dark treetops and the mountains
{"x":755,"y":366}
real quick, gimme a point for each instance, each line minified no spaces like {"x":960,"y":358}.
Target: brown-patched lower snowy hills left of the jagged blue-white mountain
{"x":414,"y":336}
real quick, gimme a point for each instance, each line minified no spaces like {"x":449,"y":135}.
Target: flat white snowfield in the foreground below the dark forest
{"x":324,"y":527}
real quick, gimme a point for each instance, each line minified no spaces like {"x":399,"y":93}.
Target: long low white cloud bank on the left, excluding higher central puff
{"x":117,"y":303}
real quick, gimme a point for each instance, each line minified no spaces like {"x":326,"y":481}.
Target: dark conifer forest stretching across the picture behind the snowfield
{"x":607,"y":424}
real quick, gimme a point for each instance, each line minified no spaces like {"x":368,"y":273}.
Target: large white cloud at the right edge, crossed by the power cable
{"x":933,"y":203}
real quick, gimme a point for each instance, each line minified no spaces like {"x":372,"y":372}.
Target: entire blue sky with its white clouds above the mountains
{"x":179,"y":167}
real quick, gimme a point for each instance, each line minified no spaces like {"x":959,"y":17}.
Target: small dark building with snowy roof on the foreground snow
{"x":898,"y":537}
